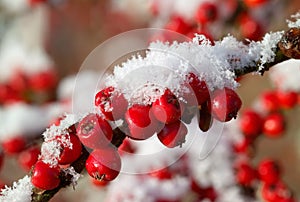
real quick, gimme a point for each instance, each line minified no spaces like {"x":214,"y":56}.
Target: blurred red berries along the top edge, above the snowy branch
{"x":207,"y":13}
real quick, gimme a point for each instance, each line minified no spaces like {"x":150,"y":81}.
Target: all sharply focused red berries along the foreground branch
{"x":165,"y":116}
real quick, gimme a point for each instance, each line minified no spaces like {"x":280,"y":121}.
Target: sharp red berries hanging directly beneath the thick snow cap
{"x":167,"y":114}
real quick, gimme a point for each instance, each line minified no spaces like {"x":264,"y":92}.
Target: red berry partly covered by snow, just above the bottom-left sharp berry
{"x":69,"y":155}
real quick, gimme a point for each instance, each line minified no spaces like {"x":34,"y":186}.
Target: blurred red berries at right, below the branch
{"x":252,"y":124}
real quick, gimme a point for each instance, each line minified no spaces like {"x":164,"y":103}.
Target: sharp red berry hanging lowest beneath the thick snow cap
{"x":173,"y":135}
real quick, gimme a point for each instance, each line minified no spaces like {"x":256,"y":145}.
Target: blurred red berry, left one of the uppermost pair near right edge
{"x":269,"y":101}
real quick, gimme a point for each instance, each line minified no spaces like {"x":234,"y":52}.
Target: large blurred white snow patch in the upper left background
{"x":22,"y":46}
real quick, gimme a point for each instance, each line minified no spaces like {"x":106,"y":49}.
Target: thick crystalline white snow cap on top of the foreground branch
{"x":165,"y":65}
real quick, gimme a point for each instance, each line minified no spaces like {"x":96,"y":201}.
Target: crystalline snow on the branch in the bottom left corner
{"x":19,"y":192}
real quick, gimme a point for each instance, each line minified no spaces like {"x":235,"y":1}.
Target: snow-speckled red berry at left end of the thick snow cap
{"x":112,"y":104}
